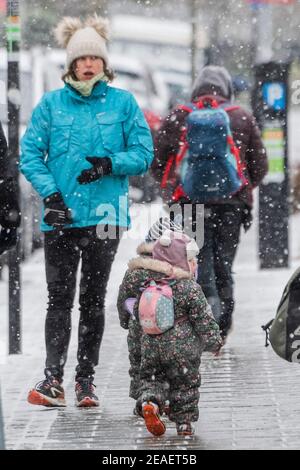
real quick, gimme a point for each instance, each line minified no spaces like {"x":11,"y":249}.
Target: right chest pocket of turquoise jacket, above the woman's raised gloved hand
{"x":112,"y":132}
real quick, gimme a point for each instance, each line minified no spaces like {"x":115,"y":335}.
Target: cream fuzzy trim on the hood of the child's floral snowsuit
{"x":158,"y":266}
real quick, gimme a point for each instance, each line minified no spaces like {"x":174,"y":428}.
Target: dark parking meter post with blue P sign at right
{"x":270,"y":104}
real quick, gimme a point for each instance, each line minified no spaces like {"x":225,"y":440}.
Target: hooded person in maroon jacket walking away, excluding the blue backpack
{"x":223,"y":217}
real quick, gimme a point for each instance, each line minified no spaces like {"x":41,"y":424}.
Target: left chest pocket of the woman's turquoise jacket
{"x":60,"y":135}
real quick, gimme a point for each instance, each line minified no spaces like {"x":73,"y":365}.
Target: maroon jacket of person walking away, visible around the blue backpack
{"x":246,"y":135}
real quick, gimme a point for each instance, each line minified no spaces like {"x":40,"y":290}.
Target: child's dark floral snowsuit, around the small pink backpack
{"x":173,"y":357}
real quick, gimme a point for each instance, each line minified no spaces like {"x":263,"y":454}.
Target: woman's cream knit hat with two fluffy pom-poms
{"x":82,"y":39}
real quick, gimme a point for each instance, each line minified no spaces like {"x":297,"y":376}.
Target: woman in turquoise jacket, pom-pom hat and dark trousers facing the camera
{"x":81,"y":145}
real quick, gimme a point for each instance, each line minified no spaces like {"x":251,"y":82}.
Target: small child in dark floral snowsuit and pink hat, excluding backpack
{"x":174,"y":356}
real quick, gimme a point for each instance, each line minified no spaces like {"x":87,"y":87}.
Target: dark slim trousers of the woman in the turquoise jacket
{"x":63,"y":251}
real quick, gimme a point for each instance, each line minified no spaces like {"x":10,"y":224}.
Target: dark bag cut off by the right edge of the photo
{"x":283,"y":331}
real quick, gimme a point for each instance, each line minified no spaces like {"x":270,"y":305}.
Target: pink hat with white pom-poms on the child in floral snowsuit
{"x":176,"y":248}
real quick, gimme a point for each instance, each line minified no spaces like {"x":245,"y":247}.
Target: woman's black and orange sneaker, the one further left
{"x":48,"y":392}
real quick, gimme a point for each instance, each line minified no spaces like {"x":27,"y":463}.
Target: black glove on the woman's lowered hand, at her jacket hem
{"x":56,"y":212}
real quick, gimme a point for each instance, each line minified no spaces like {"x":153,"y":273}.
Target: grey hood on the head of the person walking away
{"x":215,"y":80}
